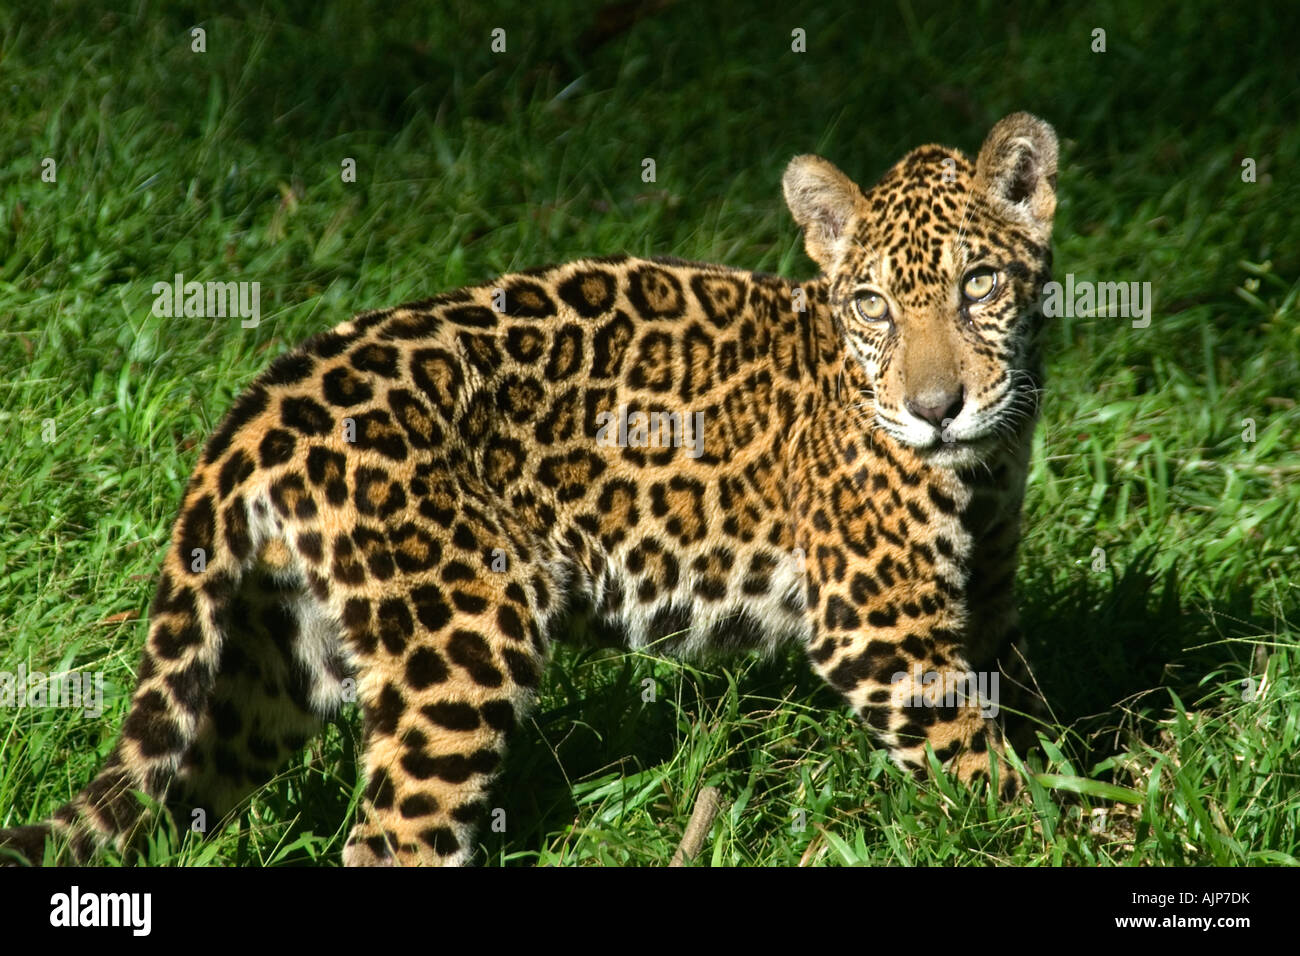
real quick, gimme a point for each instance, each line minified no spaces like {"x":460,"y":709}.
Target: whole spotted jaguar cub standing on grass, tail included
{"x":409,"y":507}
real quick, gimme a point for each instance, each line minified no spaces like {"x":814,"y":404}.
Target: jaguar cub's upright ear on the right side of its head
{"x":1016,"y":171}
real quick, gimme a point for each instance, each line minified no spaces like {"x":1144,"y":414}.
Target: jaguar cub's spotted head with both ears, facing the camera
{"x":934,"y":282}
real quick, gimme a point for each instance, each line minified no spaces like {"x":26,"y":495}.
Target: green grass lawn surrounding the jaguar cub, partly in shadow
{"x":226,"y":166}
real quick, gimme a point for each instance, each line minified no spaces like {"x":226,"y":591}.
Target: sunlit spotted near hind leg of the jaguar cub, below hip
{"x":449,"y":665}
